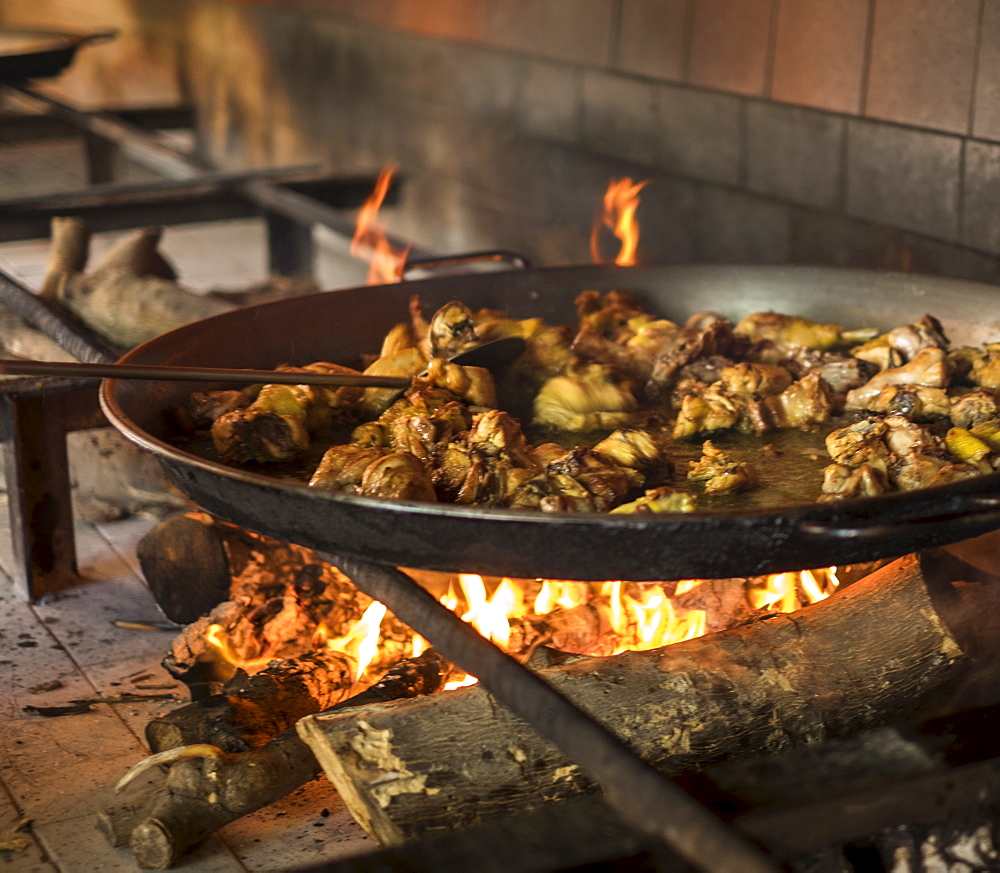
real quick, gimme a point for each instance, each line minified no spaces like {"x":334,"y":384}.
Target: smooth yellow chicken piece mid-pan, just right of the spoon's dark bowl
{"x":590,"y":398}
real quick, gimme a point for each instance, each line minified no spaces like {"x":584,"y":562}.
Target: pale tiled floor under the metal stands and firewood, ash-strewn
{"x":57,"y":772}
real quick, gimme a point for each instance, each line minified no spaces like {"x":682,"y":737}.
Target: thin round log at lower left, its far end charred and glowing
{"x":207,"y":788}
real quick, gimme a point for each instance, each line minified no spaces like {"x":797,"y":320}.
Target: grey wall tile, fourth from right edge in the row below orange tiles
{"x":699,"y":134}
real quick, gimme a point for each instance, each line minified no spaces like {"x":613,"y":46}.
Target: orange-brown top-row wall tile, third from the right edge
{"x":819,"y":53}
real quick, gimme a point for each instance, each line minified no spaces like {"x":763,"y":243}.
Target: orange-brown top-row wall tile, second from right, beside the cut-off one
{"x":921,"y":67}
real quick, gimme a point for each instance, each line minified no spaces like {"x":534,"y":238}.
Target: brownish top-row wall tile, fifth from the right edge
{"x":652,"y":38}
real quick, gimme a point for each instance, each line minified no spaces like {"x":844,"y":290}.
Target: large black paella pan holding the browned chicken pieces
{"x":340,"y":325}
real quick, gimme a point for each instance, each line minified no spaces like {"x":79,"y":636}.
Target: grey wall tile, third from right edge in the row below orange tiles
{"x":795,"y":154}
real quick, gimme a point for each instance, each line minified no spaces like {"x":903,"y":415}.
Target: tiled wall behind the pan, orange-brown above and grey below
{"x":833,"y":131}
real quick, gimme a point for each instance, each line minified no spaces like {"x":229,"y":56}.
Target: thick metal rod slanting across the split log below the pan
{"x":642,"y":796}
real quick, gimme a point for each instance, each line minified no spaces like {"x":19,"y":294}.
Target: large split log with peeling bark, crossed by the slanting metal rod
{"x":870,"y":654}
